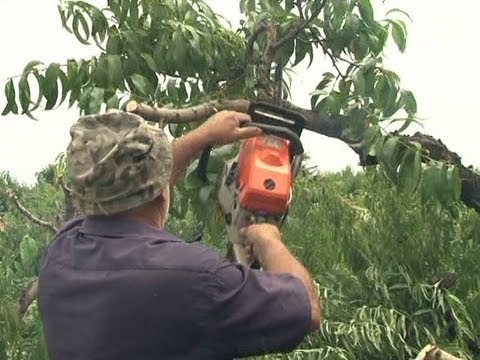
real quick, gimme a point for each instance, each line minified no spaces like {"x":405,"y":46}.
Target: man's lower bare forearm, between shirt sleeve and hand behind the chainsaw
{"x":278,"y":258}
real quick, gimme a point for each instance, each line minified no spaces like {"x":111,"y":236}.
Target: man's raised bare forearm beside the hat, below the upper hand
{"x":184,"y":149}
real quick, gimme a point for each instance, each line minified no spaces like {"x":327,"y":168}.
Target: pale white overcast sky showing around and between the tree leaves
{"x":439,"y":66}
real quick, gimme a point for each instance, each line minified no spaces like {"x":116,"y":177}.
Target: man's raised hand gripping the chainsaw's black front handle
{"x":224,"y":128}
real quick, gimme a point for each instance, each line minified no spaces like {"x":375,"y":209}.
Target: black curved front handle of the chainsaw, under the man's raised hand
{"x":295,"y":146}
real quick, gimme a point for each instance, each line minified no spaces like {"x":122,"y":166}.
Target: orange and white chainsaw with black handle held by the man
{"x":256,"y":185}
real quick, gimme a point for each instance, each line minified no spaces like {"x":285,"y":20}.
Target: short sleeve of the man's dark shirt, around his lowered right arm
{"x":254,"y":312}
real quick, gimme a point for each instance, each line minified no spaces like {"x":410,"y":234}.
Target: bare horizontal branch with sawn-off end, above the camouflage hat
{"x":194,"y":113}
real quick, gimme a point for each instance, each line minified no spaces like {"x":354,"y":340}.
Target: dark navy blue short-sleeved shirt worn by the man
{"x":113,"y":288}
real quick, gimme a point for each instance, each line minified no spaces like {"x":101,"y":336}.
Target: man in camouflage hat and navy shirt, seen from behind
{"x":115,"y":285}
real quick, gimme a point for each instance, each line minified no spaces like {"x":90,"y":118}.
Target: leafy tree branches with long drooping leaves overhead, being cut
{"x":175,"y":54}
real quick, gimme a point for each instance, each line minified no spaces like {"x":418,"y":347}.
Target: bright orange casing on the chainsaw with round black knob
{"x":264,"y":175}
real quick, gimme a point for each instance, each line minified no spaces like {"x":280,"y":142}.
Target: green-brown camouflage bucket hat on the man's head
{"x":116,"y":162}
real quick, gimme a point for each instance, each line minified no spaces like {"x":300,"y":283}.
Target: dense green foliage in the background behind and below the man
{"x":393,"y":272}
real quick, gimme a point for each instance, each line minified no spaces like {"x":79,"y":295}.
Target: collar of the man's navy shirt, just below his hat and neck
{"x":116,"y":226}
